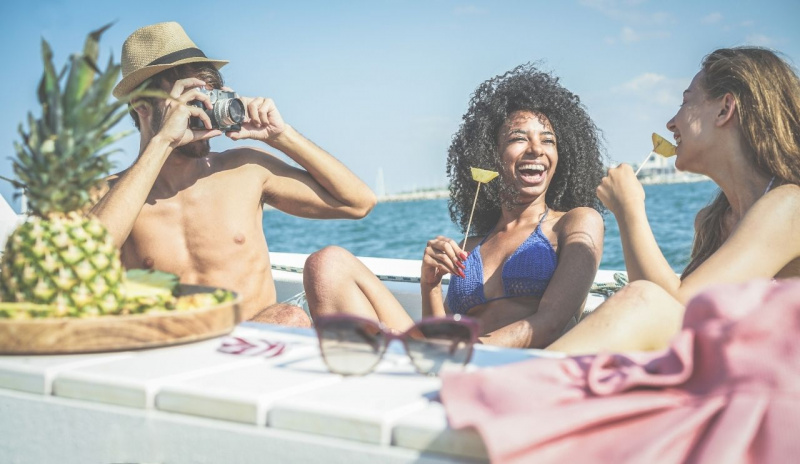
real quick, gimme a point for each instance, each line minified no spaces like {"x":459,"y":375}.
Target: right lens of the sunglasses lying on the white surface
{"x":439,"y":345}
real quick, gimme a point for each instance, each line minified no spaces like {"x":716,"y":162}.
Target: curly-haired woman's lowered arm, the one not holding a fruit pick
{"x":580,"y":245}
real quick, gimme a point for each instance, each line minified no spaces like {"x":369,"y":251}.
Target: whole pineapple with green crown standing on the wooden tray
{"x":59,"y":256}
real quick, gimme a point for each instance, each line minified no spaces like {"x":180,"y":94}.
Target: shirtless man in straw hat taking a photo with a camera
{"x":183,"y":209}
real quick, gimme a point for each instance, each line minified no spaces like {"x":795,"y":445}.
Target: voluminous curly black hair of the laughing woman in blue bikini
{"x":580,"y":161}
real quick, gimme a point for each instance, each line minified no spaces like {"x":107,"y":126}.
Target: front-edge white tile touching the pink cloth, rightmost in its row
{"x":428,"y":429}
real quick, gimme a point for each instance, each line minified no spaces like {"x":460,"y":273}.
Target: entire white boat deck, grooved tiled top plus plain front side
{"x":194,"y":404}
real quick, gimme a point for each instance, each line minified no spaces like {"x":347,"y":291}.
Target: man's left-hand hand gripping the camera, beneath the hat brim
{"x":175,"y":123}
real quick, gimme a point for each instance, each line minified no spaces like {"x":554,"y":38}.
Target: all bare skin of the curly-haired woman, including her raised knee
{"x":336,"y":282}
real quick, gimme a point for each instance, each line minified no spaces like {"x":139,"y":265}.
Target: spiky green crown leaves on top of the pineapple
{"x":61,"y":161}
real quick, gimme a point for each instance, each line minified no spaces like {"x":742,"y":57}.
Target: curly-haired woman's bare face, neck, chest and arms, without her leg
{"x":576,"y":236}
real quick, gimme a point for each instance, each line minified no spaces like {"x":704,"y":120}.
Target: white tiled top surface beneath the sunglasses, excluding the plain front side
{"x":290,"y":393}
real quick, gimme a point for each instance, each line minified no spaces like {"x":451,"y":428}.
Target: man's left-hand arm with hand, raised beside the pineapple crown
{"x":120,"y":204}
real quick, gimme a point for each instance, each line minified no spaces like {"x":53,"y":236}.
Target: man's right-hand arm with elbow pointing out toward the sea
{"x":325,"y":189}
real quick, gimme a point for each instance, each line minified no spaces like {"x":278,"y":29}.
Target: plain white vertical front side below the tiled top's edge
{"x":37,"y":429}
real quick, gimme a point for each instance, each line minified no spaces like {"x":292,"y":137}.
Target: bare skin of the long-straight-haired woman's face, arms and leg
{"x":761,"y":238}
